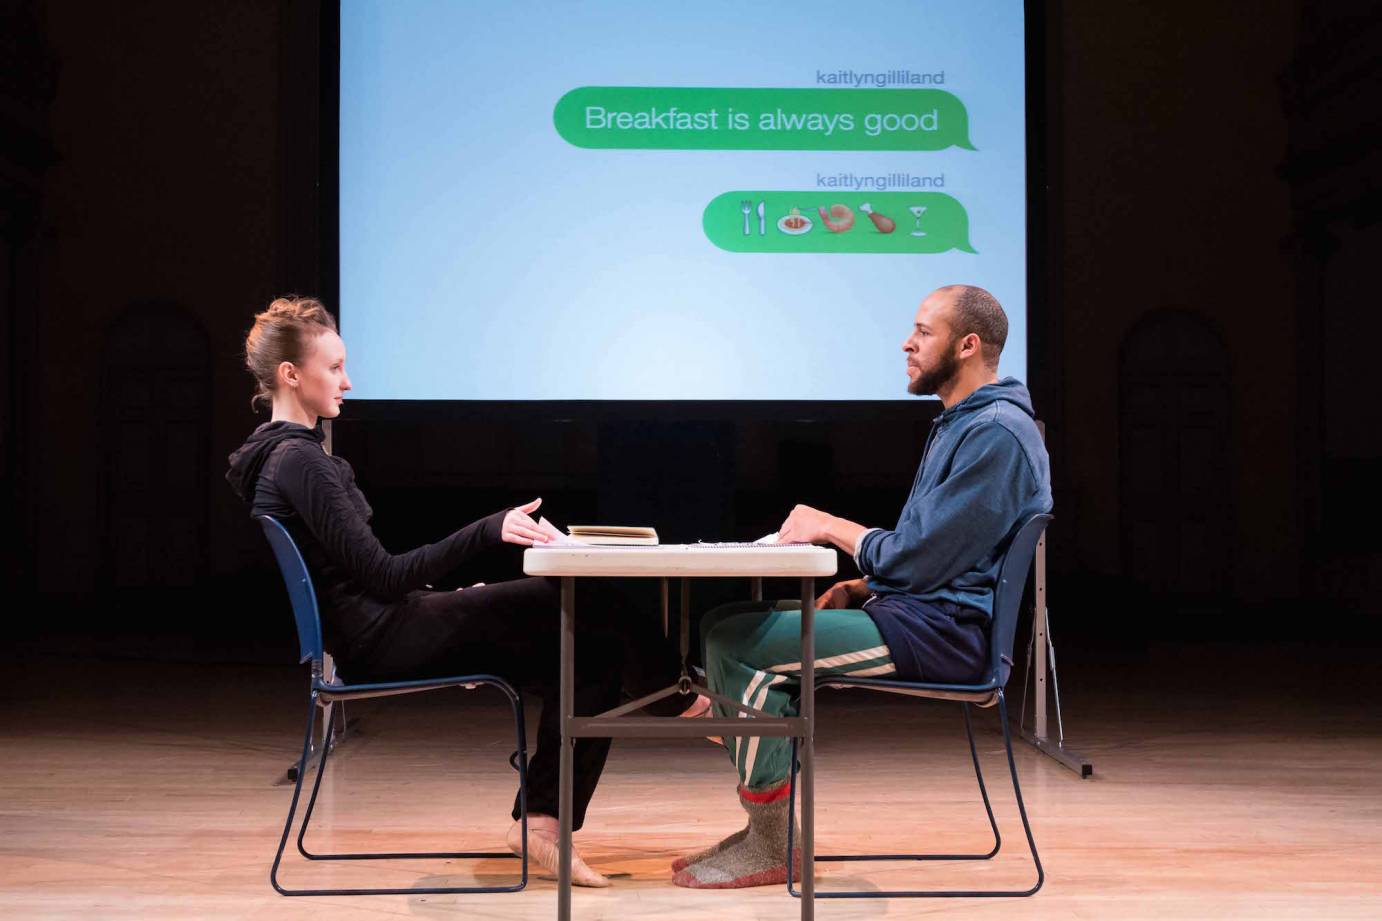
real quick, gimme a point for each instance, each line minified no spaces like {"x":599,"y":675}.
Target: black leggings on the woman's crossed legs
{"x":513,"y":630}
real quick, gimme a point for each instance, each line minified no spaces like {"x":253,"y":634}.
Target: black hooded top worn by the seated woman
{"x":284,"y":471}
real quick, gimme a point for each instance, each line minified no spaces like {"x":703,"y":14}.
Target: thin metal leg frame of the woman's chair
{"x":520,"y":757}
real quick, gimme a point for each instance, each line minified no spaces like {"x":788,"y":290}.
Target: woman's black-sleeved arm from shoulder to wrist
{"x":313,"y":486}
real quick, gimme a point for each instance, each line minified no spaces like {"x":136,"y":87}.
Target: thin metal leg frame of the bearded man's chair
{"x":931,"y":894}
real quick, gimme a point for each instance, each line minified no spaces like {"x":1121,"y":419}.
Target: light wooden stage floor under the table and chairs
{"x":160,"y":797}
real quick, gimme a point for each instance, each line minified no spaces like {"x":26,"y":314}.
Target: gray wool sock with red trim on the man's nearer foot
{"x":759,"y":858}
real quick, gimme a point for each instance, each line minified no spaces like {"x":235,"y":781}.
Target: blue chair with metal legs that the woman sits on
{"x":327,"y":691}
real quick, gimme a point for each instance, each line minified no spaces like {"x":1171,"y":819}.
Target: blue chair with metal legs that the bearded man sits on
{"x":1008,"y":595}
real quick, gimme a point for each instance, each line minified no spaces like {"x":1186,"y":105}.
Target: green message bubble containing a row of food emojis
{"x":900,"y":223}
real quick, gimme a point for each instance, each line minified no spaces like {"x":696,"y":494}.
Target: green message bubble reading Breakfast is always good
{"x":754,"y":120}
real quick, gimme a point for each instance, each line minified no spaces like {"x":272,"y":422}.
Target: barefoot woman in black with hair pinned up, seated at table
{"x":379,"y":617}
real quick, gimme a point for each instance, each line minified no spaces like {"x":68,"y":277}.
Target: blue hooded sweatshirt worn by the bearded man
{"x":985,"y":471}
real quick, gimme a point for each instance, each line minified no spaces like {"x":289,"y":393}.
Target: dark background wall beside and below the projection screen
{"x":1213,"y":219}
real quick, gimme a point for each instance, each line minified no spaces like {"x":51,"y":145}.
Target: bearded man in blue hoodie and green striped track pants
{"x":924,"y":608}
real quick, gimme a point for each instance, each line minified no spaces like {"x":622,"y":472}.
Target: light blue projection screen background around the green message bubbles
{"x":483,"y":258}
